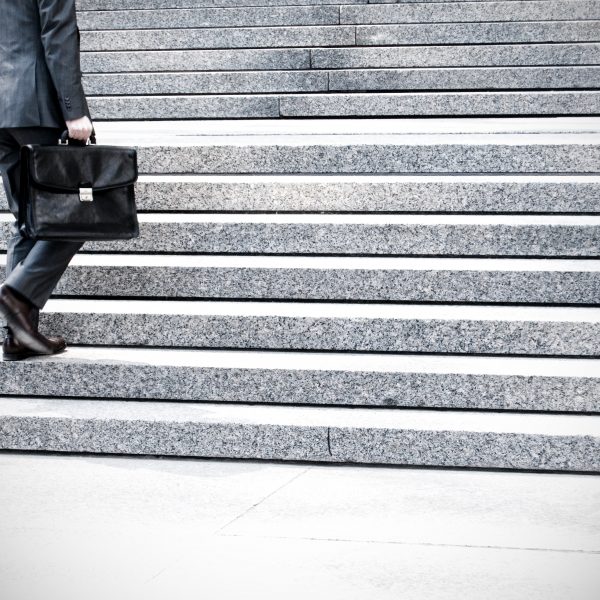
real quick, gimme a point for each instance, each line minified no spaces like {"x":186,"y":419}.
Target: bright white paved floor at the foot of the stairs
{"x":85,"y":528}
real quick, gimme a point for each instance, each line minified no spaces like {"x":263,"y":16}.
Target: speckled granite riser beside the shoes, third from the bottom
{"x":327,"y":334}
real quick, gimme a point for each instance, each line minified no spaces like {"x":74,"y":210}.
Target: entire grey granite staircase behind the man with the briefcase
{"x":408,"y":291}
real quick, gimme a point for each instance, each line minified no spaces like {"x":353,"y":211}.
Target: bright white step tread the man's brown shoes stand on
{"x":299,"y":362}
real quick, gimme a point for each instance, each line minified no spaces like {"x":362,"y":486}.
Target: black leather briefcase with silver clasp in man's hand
{"x":78,"y":192}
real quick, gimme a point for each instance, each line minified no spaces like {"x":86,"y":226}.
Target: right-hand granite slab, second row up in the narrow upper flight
{"x":457,"y":78}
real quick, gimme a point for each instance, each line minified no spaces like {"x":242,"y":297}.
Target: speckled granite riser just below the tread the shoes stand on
{"x":337,"y":388}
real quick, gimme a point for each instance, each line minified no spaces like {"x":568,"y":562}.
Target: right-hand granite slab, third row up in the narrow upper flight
{"x":463,"y":56}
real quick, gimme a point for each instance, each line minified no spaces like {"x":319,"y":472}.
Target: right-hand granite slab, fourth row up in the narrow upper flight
{"x":478,"y":33}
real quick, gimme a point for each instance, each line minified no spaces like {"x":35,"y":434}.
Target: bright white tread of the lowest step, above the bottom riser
{"x":320,"y":417}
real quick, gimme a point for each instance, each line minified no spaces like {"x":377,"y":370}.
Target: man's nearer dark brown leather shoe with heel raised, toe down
{"x":17,"y":314}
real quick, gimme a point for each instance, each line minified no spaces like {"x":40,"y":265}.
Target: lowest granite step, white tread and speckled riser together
{"x":325,"y":434}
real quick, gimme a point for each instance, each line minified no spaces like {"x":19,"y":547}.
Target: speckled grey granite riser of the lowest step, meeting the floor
{"x":287,"y":442}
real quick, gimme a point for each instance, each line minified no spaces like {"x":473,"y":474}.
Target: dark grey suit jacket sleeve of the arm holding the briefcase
{"x":60,"y":39}
